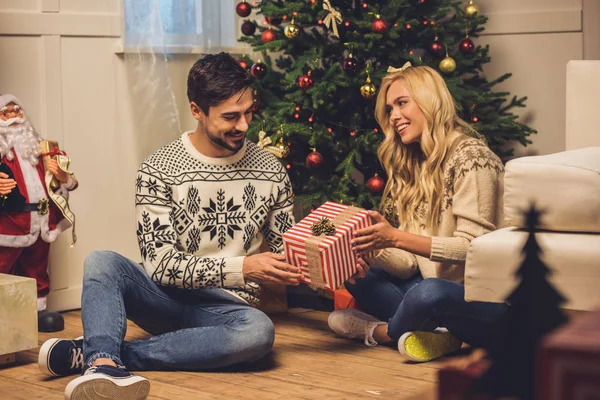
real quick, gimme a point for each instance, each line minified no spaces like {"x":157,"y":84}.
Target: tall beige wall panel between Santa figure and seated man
{"x":103,"y":157}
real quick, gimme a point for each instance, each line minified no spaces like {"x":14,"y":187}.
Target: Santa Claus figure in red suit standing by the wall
{"x":32,"y":214}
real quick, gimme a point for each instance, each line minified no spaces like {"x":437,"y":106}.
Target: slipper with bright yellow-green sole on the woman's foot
{"x":426,"y":346}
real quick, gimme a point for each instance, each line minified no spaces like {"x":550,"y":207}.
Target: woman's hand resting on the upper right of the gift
{"x":381,"y":235}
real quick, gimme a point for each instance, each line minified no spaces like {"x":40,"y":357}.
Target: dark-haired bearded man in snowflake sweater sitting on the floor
{"x":204,"y":204}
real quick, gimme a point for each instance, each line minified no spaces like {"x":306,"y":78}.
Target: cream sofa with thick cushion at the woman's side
{"x":567,"y":186}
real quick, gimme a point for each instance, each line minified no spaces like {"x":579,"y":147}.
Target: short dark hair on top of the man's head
{"x":214,"y":78}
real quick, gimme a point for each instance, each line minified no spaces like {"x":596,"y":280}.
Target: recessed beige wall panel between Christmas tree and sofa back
{"x":538,"y":63}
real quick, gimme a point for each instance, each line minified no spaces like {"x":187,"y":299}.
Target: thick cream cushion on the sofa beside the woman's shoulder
{"x":566,"y":185}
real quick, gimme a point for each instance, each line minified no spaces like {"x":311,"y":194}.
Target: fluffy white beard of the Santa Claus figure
{"x":23,"y":138}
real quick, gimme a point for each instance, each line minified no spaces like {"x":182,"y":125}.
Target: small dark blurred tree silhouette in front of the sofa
{"x":534,"y":311}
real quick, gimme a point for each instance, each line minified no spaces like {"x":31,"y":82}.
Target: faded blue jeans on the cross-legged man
{"x":199,"y":329}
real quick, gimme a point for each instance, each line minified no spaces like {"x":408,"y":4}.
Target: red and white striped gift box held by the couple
{"x":326,"y":261}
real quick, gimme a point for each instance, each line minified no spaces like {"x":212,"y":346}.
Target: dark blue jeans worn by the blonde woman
{"x":419,"y":304}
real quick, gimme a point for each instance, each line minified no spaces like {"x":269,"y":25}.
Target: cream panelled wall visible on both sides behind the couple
{"x":59,"y":57}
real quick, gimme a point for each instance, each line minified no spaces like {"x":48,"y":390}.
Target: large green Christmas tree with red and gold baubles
{"x":317,"y":79}
